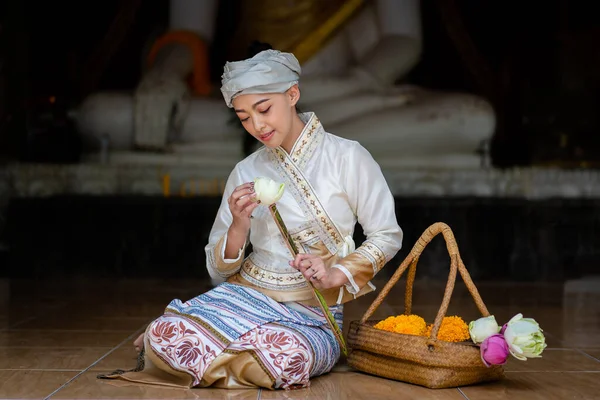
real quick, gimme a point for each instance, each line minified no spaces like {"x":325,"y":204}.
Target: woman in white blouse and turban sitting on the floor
{"x":262,"y":327}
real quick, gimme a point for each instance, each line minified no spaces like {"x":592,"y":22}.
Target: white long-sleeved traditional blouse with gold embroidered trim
{"x":331,"y":183}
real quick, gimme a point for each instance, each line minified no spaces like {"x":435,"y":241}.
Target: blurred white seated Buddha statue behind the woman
{"x":349,"y":83}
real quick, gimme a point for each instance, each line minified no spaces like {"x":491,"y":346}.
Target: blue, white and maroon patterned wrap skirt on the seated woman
{"x":236,"y":337}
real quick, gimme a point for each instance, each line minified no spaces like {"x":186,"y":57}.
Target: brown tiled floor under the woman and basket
{"x":56,"y":337}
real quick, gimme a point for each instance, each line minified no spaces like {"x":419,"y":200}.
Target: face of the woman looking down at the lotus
{"x":269,"y":117}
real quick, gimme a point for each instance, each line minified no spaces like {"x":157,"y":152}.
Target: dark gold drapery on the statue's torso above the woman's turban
{"x":302,"y":27}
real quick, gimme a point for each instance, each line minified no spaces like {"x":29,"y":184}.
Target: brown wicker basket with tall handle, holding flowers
{"x":415,"y":359}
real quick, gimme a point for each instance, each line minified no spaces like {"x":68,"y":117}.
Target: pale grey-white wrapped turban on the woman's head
{"x":269,"y":71}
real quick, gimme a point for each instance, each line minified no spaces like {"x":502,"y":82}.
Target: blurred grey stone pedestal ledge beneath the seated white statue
{"x":172,"y":176}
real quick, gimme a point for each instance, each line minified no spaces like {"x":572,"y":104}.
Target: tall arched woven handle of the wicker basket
{"x":411,"y":260}
